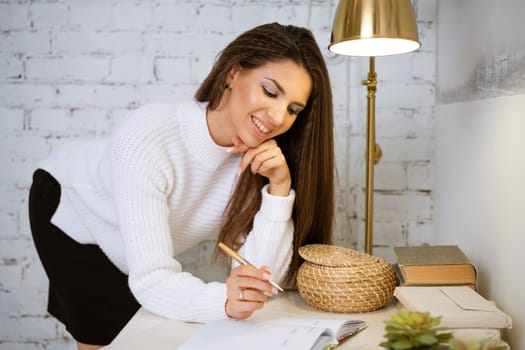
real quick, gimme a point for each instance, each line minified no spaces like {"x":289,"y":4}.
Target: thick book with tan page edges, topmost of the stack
{"x":436,"y":265}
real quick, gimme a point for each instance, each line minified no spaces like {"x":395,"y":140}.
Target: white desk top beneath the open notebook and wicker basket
{"x":148,"y":331}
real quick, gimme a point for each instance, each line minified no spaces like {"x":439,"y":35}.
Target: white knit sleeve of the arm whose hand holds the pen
{"x":141,"y":180}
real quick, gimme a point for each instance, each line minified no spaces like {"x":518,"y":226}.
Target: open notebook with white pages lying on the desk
{"x":277,"y":331}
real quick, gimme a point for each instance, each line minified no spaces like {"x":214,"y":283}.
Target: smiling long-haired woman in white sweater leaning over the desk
{"x":249,"y":163}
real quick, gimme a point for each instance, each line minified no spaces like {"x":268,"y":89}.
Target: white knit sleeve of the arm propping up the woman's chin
{"x":270,"y":243}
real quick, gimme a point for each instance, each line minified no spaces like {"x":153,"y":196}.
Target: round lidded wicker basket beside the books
{"x":340,"y":279}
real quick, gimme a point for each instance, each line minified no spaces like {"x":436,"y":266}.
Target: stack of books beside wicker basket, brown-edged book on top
{"x":442,"y":280}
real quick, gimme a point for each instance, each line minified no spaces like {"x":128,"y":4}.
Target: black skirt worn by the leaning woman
{"x":87,"y":292}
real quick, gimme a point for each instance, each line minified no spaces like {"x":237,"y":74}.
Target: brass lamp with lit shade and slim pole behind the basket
{"x":373,"y":28}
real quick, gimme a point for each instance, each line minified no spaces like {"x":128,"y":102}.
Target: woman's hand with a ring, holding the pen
{"x":248,"y":289}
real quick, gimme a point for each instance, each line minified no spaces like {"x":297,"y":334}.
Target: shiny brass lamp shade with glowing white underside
{"x":374,"y":28}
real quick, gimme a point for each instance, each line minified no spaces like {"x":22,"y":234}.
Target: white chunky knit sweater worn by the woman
{"x":156,"y":188}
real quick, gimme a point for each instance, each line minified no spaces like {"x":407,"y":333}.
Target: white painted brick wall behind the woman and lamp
{"x":73,"y":68}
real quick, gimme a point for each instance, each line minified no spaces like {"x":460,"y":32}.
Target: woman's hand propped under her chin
{"x":267,"y":160}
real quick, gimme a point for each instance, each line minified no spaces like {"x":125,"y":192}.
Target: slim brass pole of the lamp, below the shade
{"x":373,"y":154}
